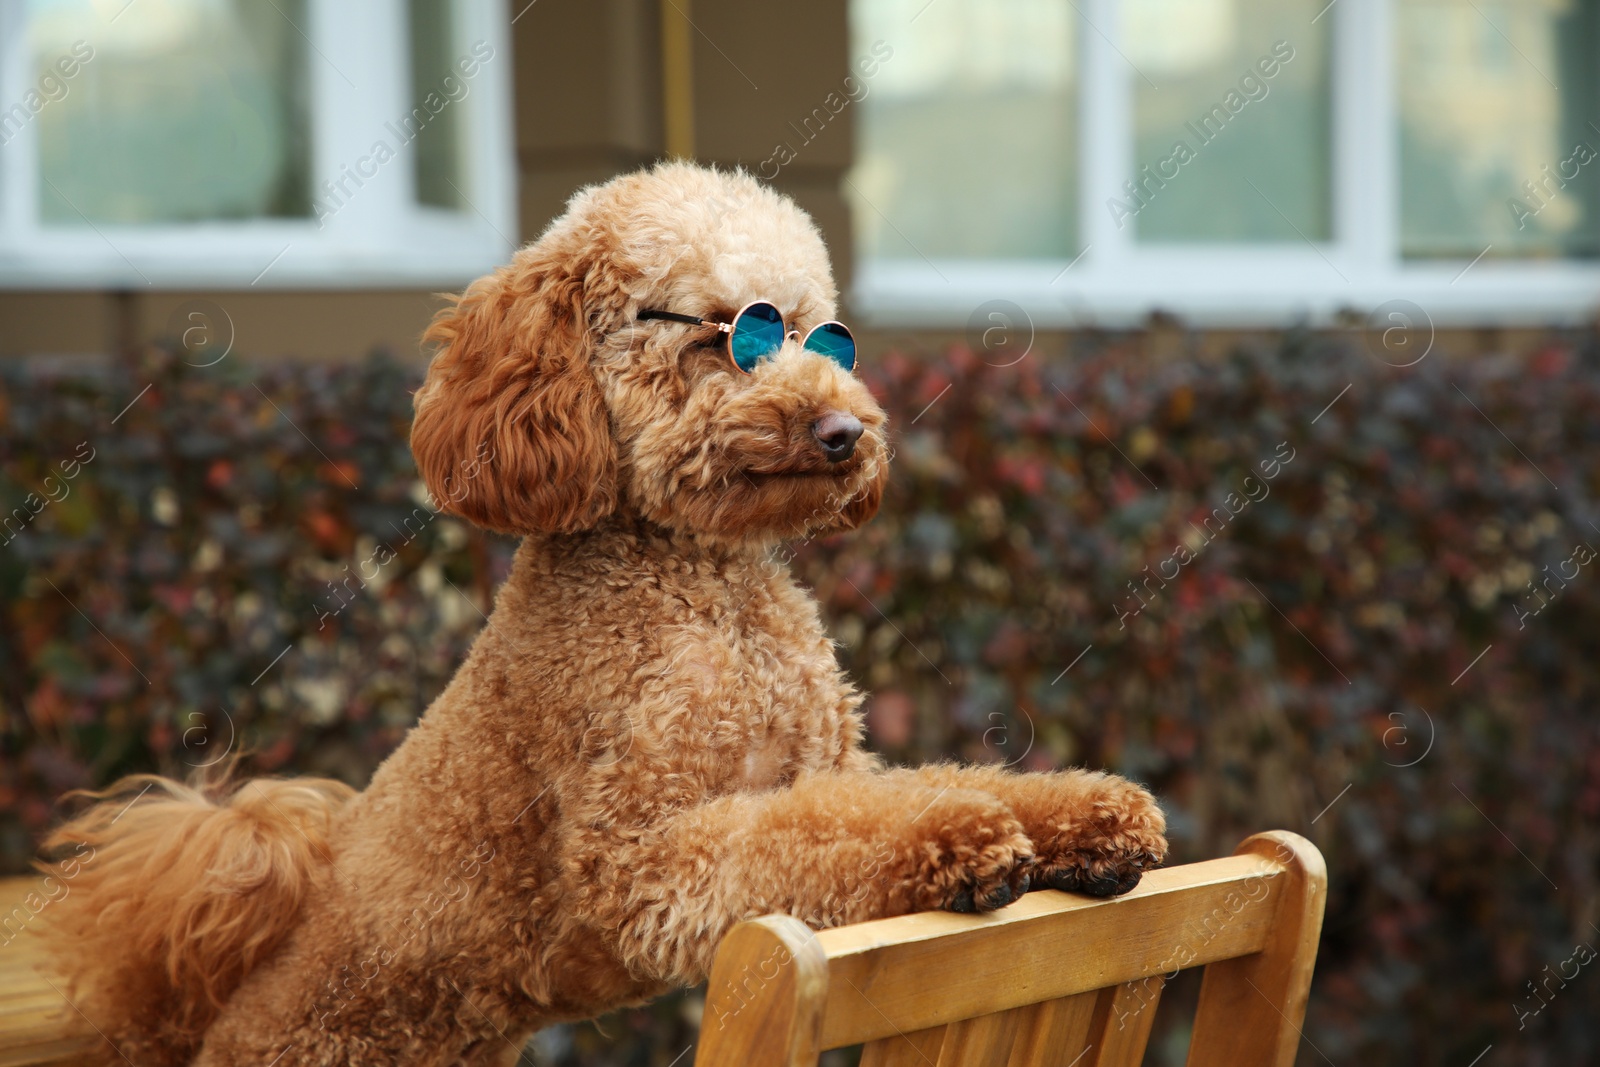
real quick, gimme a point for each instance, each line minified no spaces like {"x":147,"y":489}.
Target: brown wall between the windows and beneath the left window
{"x":590,"y":105}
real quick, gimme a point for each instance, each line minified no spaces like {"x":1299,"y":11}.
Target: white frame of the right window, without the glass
{"x":1119,"y":281}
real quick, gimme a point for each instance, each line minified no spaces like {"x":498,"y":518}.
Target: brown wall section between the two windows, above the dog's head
{"x":758,"y":68}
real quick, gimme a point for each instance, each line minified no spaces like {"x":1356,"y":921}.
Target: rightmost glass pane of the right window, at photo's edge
{"x":1495,"y":138}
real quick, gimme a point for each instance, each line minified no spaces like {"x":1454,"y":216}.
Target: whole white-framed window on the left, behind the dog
{"x":234,"y":143}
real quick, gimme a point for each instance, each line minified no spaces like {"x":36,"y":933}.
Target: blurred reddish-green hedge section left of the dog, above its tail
{"x":206,"y":580}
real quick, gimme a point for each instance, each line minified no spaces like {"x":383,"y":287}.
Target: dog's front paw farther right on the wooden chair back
{"x":1108,"y":845}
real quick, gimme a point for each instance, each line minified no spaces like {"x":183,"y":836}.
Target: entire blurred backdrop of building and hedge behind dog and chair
{"x":1242,"y":359}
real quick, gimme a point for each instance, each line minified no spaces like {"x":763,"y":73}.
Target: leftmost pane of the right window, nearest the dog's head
{"x":967,"y":137}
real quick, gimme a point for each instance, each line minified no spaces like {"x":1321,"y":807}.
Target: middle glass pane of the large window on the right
{"x":1231,"y":121}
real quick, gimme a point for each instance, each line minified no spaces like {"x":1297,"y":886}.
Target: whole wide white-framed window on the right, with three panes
{"x":1244,"y":162}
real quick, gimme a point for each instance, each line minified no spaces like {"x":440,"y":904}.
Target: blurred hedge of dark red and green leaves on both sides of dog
{"x":1295,"y":588}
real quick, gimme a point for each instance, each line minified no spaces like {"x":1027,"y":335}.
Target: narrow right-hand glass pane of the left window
{"x":436,"y":90}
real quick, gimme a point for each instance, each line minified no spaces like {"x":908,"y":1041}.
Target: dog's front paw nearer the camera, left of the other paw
{"x":969,"y":855}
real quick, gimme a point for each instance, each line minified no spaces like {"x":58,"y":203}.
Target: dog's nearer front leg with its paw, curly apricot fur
{"x":836,"y":849}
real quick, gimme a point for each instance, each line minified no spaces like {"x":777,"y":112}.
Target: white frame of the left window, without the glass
{"x":380,"y":238}
